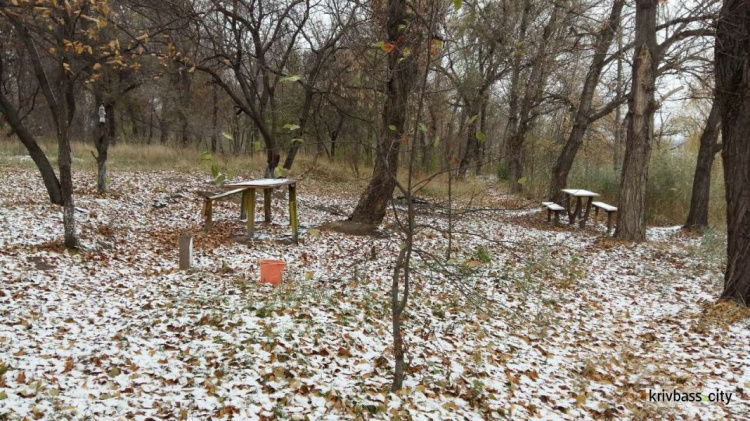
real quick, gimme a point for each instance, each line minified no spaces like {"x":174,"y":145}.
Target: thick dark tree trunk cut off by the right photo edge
{"x":733,"y":95}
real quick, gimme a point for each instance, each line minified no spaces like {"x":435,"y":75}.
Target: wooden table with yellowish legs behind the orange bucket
{"x":266,"y":185}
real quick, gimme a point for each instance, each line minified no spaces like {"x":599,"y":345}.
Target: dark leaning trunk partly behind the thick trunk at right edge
{"x":698,"y":215}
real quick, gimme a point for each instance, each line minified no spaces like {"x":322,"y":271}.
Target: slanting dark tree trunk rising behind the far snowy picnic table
{"x":582,"y":119}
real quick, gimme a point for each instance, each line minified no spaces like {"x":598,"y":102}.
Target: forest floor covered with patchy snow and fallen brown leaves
{"x":523,"y":321}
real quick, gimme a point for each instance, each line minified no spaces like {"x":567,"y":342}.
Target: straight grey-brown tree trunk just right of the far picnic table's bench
{"x":631,"y":221}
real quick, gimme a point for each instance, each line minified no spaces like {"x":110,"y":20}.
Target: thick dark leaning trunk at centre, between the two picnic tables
{"x":403,"y":75}
